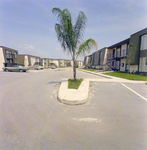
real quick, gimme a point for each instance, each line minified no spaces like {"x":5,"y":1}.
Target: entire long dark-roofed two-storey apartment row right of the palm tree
{"x":127,"y":55}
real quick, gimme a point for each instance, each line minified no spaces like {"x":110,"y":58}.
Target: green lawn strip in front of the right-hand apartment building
{"x":128,"y":76}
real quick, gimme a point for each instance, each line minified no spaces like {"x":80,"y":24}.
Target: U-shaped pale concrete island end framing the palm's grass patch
{"x":73,"y":96}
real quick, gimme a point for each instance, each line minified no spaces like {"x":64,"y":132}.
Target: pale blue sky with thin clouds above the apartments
{"x":28,"y":25}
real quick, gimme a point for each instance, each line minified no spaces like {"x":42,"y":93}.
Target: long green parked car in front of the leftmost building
{"x":15,"y":68}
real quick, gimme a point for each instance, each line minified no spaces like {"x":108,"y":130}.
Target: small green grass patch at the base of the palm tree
{"x":74,"y":85}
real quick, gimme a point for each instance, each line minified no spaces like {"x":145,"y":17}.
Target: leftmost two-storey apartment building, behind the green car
{"x":8,"y":57}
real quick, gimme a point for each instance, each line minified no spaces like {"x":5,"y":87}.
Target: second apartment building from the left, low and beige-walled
{"x":29,"y":60}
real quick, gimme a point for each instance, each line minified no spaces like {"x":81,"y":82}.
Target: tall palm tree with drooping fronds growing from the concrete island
{"x":71,"y":36}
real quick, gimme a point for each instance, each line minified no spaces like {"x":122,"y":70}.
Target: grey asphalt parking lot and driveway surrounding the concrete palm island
{"x":31,"y":117}
